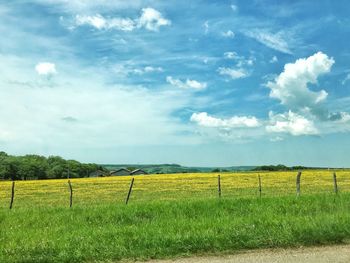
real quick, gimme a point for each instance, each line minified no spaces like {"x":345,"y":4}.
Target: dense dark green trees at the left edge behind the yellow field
{"x":29,"y":167}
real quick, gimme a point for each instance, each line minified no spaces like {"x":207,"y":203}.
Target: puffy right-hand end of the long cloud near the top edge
{"x":152,"y":19}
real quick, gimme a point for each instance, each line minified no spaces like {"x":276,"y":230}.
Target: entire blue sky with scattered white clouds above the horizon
{"x":198,"y":83}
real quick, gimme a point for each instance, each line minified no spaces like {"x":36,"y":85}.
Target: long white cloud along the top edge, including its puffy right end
{"x":150,"y":19}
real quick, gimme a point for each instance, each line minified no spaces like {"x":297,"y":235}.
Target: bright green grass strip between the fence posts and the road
{"x":170,"y":228}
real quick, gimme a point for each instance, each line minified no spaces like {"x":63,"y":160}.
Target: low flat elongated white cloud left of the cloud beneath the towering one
{"x":203,"y":119}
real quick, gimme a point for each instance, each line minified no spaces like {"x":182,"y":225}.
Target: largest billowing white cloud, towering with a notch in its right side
{"x":290,"y":87}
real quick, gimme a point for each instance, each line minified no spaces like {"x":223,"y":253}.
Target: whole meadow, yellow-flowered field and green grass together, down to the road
{"x":170,"y":215}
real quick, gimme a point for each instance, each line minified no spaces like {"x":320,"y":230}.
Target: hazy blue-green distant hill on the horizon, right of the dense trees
{"x":175,"y":168}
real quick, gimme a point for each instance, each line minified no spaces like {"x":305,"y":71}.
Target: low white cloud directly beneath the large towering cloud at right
{"x":291,"y":123}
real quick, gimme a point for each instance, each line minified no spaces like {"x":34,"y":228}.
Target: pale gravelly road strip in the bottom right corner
{"x":326,"y":254}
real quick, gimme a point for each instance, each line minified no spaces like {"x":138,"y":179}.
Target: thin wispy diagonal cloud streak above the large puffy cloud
{"x":275,"y":41}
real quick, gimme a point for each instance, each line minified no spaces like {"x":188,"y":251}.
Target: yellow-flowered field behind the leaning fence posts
{"x":93,"y":191}
